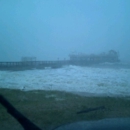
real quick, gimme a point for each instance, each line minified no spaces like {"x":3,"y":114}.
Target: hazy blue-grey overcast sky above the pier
{"x":49,"y":29}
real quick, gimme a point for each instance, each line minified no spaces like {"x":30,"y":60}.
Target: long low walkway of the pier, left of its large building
{"x":32,"y":65}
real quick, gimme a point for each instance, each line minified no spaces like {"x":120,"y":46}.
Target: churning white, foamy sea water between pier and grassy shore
{"x":106,"y":79}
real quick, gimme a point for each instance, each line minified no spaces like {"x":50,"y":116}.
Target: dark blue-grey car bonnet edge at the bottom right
{"x":104,"y":124}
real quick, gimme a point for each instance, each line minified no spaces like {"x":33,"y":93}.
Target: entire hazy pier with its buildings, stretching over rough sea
{"x":75,"y":59}
